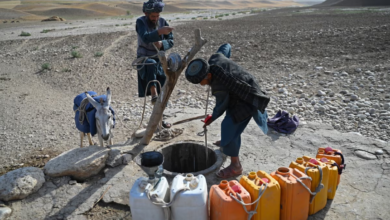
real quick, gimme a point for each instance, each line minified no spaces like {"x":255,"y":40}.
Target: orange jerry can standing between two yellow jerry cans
{"x":295,"y":187}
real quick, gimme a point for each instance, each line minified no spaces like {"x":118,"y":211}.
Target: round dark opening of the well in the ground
{"x":190,"y":157}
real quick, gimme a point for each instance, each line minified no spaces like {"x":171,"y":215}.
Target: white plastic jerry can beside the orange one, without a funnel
{"x":190,"y":204}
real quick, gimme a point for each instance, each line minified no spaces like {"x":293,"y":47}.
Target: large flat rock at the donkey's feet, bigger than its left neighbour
{"x":80,"y":163}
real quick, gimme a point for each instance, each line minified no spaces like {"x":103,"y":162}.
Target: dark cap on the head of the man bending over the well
{"x":197,"y":70}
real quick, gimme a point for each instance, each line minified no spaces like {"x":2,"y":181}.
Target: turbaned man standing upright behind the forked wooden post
{"x":154,"y":34}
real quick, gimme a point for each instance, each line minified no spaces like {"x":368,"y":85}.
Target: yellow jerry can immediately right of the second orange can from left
{"x":319,"y":174}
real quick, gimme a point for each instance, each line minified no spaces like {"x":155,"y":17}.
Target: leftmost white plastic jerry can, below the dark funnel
{"x":141,"y":207}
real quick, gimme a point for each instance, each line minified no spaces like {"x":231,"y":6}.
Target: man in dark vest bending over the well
{"x":237,"y":94}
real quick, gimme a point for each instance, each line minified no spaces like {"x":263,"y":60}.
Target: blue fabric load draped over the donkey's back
{"x":89,"y":123}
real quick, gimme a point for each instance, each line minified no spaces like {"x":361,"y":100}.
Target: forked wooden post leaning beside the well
{"x":169,"y":85}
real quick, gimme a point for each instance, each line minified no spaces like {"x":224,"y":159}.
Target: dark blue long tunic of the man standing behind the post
{"x":151,"y":72}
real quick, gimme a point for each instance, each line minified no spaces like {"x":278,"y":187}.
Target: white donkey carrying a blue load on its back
{"x":98,"y":118}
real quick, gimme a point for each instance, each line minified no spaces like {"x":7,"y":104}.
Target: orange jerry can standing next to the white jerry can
{"x":223,"y":206}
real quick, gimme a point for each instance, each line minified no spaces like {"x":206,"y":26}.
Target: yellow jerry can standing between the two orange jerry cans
{"x":264,"y":185}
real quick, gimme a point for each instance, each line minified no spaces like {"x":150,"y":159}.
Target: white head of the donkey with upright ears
{"x":103,"y":116}
